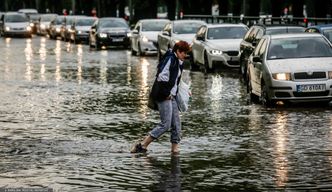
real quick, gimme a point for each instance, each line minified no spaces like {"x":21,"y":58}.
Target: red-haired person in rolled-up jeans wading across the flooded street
{"x":169,"y":75}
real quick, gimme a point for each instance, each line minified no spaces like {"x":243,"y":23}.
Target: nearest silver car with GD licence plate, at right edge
{"x":291,"y":67}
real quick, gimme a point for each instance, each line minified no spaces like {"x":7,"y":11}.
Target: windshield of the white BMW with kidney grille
{"x":226,"y":33}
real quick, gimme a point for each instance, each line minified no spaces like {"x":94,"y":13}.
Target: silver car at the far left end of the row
{"x":15,"y":24}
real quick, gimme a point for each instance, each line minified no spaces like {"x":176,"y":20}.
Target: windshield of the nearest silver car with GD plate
{"x":299,"y":48}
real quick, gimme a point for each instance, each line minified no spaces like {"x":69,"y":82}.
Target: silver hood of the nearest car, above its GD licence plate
{"x":300,"y":65}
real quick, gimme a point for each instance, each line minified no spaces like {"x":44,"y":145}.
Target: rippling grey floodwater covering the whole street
{"x":68,"y":116}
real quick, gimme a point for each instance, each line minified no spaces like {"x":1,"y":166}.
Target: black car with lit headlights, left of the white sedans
{"x":109,"y":31}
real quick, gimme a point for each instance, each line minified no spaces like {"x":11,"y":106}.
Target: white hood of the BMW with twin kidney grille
{"x":224,"y":44}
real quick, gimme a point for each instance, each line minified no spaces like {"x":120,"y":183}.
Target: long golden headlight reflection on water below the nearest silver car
{"x":280,"y":139}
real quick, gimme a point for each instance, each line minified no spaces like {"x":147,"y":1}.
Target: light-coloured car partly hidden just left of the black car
{"x":80,"y":28}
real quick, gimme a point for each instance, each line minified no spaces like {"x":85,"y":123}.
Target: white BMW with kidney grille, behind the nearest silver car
{"x":217,"y":45}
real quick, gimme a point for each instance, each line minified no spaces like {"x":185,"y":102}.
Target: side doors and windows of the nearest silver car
{"x":256,"y":66}
